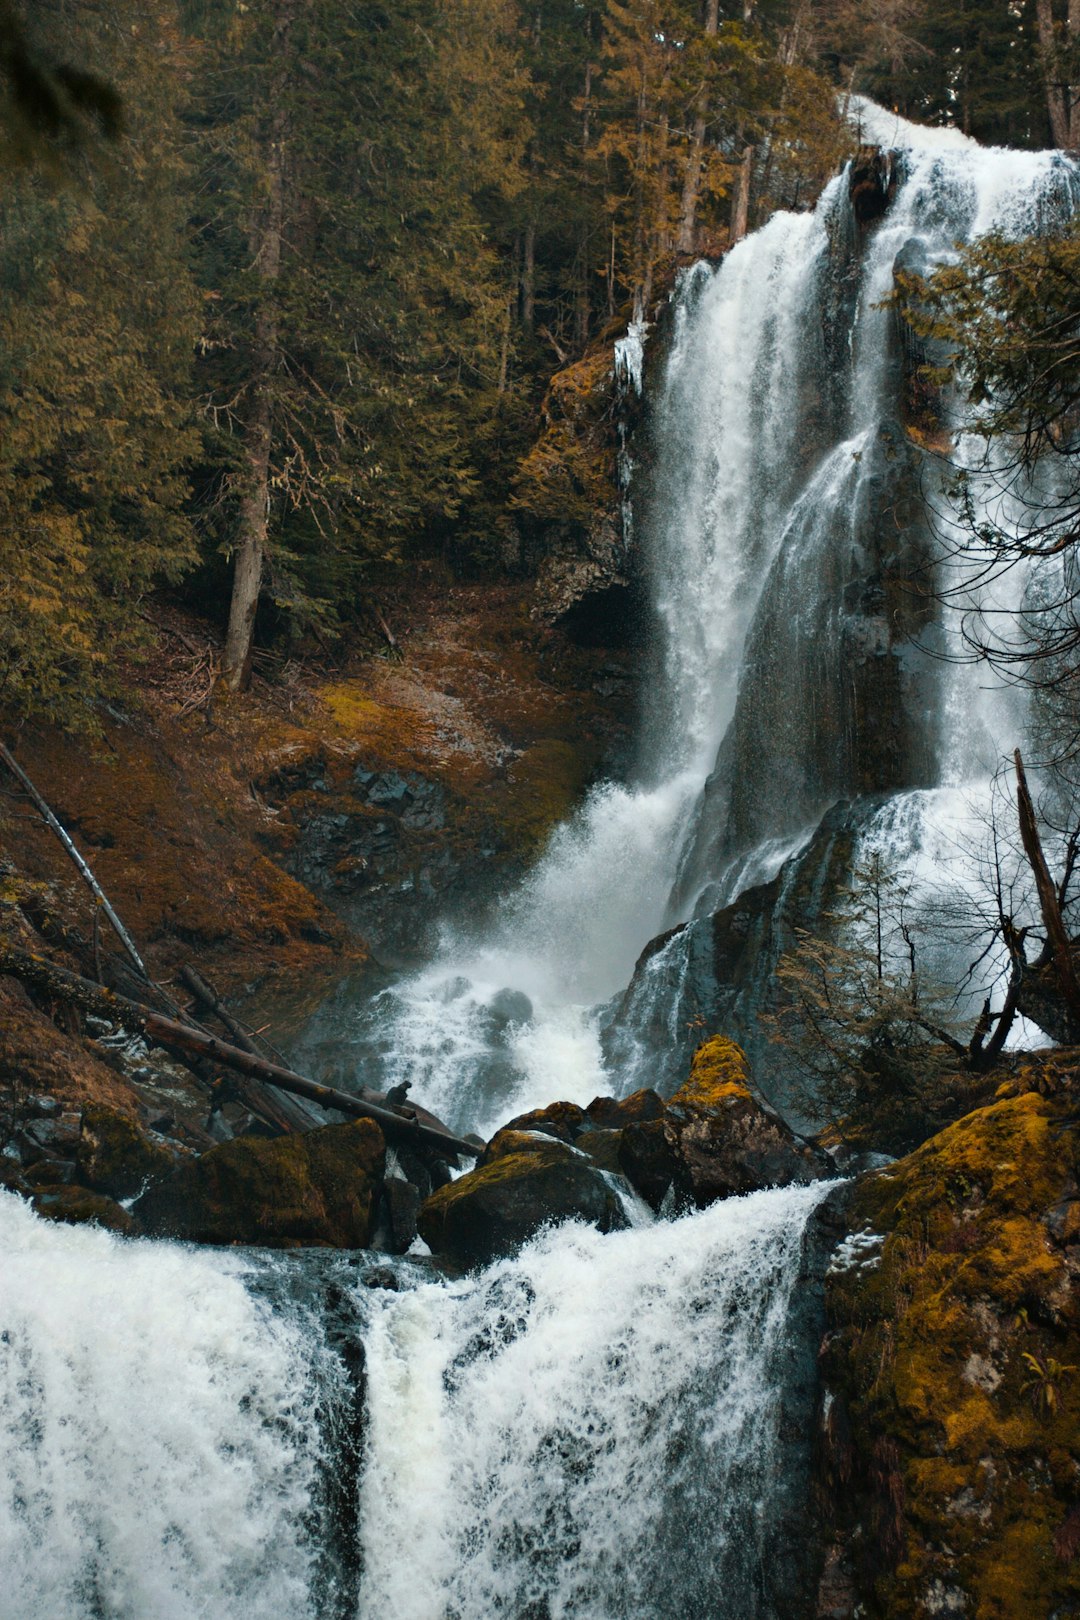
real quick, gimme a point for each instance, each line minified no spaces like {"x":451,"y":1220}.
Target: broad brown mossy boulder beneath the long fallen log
{"x":315,"y":1188}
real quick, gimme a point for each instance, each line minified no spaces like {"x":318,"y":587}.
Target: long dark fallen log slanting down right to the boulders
{"x":169,"y":1033}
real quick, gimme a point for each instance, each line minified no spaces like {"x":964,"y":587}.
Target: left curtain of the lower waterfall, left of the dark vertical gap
{"x":156,"y":1446}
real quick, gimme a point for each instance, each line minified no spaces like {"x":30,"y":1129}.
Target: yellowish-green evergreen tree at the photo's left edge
{"x":96,"y":333}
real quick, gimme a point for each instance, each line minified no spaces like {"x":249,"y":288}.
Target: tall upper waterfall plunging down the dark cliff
{"x":784,"y":537}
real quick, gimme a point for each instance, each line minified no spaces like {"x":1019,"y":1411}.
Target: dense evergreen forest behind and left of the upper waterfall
{"x":300,"y":315}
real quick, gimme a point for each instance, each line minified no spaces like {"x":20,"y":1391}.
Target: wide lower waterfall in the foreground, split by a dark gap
{"x":603,"y":1426}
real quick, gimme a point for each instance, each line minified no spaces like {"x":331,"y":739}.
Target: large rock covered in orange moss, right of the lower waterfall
{"x":951,"y":1446}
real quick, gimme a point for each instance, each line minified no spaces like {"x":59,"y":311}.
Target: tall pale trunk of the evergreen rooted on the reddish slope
{"x":255,"y":503}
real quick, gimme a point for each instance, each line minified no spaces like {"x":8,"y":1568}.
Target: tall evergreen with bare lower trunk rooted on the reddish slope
{"x":359,"y":338}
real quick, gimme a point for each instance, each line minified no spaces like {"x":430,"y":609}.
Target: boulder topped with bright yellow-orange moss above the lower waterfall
{"x":728,"y":1141}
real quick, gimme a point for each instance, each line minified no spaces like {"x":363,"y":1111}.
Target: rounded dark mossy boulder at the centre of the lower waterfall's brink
{"x":496,"y":1209}
